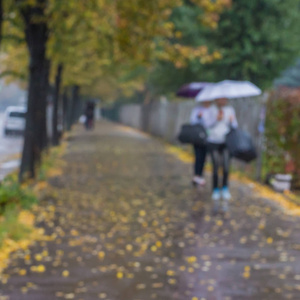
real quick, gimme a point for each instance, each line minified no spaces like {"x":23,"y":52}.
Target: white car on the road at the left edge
{"x":14,"y":120}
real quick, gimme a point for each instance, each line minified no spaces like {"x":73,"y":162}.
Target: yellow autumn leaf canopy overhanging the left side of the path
{"x":102,"y":38}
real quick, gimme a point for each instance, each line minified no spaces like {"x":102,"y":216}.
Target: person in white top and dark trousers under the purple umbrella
{"x":200,"y":115}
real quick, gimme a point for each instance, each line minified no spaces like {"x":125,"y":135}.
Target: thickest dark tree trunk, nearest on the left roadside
{"x":35,"y":131}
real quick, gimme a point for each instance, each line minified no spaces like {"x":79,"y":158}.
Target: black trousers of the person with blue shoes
{"x":220,"y":158}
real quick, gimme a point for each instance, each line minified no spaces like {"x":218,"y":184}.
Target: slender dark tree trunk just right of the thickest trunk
{"x":55,"y":133}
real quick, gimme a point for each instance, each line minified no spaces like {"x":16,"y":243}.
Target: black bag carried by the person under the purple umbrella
{"x":193,"y":134}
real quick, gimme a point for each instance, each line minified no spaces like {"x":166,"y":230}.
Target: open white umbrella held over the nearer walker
{"x":228,"y":89}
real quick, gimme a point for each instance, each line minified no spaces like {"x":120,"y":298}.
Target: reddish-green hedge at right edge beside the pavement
{"x":283,"y":133}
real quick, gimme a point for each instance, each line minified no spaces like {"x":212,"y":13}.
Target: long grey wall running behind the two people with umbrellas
{"x":164,"y":119}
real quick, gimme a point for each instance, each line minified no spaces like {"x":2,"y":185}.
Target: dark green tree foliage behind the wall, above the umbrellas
{"x":256,"y":39}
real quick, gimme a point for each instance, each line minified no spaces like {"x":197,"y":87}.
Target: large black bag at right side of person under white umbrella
{"x":240,"y":145}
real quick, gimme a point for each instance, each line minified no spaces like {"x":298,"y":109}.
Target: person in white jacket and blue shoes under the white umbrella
{"x":224,"y":120}
